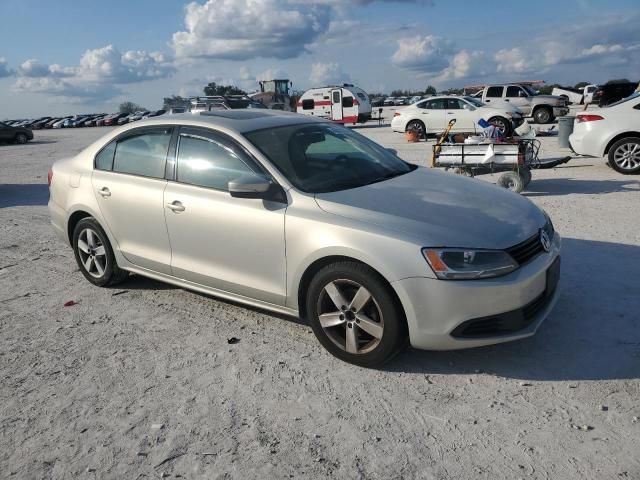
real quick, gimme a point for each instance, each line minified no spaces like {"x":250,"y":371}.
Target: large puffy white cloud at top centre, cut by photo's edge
{"x":243,"y":29}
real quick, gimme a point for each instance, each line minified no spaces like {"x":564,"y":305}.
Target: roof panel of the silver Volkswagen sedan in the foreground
{"x":241,"y":120}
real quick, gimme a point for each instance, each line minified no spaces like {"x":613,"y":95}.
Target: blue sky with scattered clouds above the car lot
{"x":68,"y":56}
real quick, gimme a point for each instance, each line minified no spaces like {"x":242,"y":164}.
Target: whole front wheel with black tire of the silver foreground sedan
{"x":355,"y":315}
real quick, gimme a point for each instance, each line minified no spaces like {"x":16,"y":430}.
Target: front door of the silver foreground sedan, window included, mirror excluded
{"x":232,"y":244}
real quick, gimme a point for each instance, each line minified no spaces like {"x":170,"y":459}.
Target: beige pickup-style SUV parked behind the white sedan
{"x":543,"y":108}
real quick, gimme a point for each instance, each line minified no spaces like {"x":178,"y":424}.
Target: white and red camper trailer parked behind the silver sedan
{"x":343,"y":104}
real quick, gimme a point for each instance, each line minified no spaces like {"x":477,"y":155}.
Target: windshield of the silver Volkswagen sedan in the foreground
{"x":319,"y":158}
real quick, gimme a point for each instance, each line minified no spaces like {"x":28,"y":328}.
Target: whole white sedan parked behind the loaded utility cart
{"x":433,"y":115}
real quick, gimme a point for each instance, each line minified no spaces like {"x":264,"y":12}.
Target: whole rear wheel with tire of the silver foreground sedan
{"x":94,"y":254}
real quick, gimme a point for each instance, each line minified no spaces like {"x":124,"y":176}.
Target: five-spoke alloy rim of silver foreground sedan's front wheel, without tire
{"x":350,"y":316}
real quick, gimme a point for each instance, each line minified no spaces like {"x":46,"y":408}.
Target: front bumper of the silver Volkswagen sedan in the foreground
{"x":439,"y":311}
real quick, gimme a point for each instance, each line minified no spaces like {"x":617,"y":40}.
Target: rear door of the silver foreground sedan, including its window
{"x":129,"y":183}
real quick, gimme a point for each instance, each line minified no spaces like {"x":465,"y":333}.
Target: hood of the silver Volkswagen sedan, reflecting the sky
{"x":440,"y":209}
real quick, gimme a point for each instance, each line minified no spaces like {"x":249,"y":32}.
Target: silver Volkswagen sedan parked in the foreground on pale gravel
{"x":300,"y":216}
